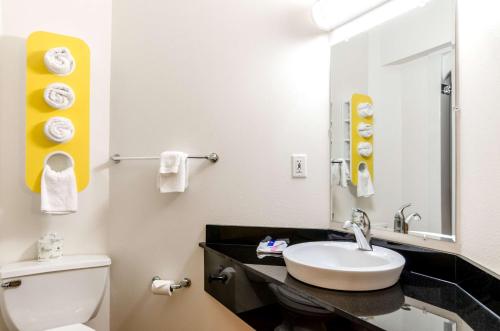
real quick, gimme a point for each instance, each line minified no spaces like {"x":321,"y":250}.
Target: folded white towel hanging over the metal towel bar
{"x":173,"y":173}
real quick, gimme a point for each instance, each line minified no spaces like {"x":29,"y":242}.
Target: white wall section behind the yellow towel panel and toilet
{"x":20,"y":219}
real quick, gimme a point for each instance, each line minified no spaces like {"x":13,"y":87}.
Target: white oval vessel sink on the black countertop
{"x":342,"y":266}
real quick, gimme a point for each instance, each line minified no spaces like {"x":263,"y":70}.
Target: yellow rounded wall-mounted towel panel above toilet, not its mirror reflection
{"x":38,"y":112}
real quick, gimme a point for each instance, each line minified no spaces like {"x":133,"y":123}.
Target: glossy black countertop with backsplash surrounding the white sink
{"x":424,"y":298}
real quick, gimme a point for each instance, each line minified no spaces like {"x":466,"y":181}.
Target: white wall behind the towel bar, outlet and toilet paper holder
{"x":246,"y":79}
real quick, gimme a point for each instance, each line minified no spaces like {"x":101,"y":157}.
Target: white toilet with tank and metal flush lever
{"x":56,"y":295}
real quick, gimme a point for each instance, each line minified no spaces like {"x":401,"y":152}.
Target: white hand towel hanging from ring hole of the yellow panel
{"x":59,"y":194}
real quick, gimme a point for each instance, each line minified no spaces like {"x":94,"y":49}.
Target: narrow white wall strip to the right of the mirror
{"x":479,"y":159}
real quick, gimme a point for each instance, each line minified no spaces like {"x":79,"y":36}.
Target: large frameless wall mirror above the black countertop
{"x":393,"y":123}
